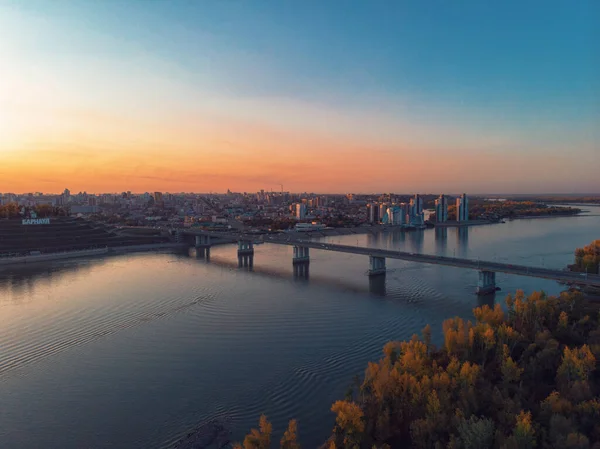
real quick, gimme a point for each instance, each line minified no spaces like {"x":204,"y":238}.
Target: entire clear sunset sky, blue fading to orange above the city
{"x":328,"y":96}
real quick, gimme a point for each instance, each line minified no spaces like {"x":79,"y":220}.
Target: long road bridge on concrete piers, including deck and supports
{"x":377,"y":257}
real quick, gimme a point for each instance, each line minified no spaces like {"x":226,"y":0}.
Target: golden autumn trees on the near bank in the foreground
{"x":522,"y":379}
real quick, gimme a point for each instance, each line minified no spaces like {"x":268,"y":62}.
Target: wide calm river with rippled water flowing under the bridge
{"x":136,"y":351}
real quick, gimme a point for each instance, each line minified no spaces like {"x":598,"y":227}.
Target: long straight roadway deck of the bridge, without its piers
{"x":480,"y":265}
